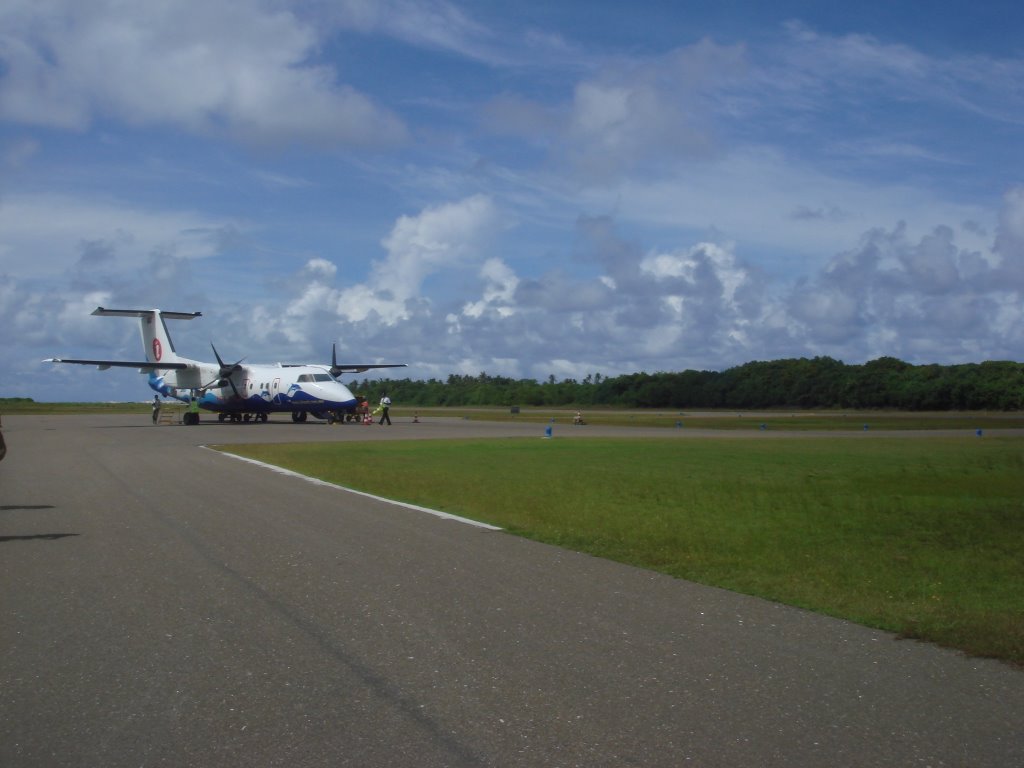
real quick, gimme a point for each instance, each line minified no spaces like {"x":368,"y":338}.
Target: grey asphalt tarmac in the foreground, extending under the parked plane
{"x":166,"y":606}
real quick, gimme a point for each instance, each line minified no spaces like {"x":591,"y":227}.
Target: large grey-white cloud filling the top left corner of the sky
{"x":245,"y":70}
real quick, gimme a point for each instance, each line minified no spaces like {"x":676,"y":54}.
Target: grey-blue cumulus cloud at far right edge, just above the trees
{"x":922,"y":300}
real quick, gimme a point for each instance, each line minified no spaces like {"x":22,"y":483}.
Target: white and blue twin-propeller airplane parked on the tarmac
{"x":237,"y":393}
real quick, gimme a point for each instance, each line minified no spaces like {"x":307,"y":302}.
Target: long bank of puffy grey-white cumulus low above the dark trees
{"x":923,"y":298}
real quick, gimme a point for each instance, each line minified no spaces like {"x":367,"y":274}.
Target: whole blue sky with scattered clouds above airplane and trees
{"x":527,"y":190}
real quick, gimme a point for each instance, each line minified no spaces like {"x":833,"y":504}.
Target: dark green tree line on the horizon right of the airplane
{"x":803,"y":383}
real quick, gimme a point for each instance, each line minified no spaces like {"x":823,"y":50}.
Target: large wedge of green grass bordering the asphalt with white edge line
{"x":921,"y":537}
